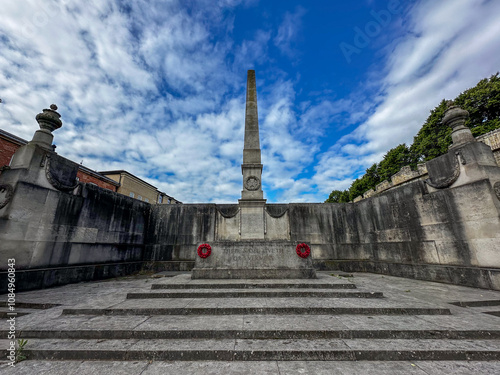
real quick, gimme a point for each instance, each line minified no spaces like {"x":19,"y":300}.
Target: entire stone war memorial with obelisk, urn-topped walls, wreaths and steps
{"x":406,"y":280}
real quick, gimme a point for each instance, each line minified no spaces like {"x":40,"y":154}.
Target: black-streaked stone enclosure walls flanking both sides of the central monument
{"x":406,"y":231}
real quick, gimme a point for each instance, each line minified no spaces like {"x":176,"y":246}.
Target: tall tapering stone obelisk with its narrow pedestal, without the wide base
{"x":252,"y":200}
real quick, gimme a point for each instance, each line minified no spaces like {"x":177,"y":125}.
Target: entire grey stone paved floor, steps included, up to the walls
{"x":365,"y":324}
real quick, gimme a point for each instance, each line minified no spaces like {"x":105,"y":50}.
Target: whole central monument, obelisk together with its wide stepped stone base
{"x":250,"y":242}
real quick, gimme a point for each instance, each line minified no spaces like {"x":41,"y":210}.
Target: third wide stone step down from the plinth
{"x":261,"y":311}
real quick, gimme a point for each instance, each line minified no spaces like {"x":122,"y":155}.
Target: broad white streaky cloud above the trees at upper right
{"x":448,"y":47}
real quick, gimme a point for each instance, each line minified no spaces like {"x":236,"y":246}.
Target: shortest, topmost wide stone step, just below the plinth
{"x":310,"y":285}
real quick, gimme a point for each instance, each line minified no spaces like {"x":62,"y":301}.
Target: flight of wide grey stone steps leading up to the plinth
{"x":183,"y":320}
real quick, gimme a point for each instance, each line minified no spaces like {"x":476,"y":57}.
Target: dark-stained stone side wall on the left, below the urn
{"x":56,"y":237}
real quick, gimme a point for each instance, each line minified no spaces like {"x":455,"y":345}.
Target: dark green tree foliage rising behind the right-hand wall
{"x":433,"y":139}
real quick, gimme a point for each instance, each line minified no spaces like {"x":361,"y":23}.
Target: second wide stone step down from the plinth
{"x":255,"y":293}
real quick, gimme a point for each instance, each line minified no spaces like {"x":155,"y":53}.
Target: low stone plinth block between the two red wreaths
{"x":253,"y":260}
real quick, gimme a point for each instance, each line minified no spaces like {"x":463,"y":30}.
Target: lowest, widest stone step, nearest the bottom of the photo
{"x":255,"y":350}
